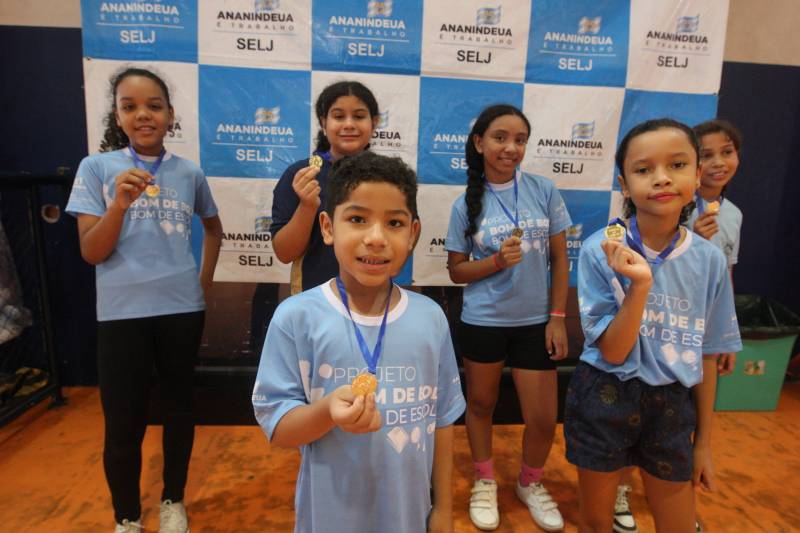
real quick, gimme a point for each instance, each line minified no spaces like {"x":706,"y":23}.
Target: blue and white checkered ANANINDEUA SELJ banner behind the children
{"x":244,"y":74}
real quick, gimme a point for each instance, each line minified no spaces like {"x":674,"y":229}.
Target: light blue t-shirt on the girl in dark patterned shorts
{"x":689,"y":312}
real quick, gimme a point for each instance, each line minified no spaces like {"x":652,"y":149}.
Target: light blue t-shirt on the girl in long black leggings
{"x":151,"y":271}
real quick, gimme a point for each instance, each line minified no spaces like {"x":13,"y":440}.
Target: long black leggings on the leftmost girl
{"x":127,"y":352}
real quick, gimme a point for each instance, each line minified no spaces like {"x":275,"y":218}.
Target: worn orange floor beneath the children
{"x":51,"y":476}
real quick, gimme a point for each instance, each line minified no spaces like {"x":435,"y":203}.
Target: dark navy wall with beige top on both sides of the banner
{"x":760,"y":81}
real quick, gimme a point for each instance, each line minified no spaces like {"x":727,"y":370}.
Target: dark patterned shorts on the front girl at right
{"x":610,"y":424}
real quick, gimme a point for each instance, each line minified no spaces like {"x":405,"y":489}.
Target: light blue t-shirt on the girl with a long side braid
{"x":516,"y":296}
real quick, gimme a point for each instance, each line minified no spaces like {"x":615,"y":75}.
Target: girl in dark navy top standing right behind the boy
{"x":347,"y":113}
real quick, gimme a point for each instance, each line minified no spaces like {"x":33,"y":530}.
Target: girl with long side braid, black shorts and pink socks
{"x":504,"y":234}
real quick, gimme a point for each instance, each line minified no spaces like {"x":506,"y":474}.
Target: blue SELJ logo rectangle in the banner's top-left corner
{"x":140,"y":30}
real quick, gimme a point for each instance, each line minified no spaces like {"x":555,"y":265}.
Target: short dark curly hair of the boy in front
{"x":369,"y":167}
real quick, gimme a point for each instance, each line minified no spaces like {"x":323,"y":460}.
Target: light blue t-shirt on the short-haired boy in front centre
{"x":374,"y":482}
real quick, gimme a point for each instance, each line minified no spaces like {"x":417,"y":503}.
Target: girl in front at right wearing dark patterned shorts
{"x":656,"y":308}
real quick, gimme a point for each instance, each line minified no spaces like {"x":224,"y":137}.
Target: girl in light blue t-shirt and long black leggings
{"x":134,"y":203}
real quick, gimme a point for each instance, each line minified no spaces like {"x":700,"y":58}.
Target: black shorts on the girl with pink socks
{"x":520,"y":347}
